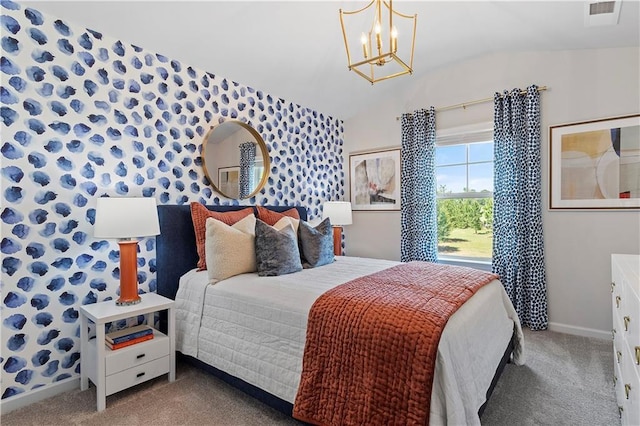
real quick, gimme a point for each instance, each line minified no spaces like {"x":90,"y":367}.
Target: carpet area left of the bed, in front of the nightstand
{"x":195,"y":398}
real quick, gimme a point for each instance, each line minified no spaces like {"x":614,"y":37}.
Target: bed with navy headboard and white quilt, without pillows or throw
{"x":250,"y":330}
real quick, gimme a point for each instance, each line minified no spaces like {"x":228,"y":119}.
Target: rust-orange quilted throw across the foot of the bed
{"x":372,"y":342}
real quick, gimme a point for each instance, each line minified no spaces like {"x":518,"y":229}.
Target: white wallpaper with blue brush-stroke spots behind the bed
{"x":86,"y":115}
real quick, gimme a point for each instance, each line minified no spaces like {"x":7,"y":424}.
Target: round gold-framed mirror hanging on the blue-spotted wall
{"x":235,"y":159}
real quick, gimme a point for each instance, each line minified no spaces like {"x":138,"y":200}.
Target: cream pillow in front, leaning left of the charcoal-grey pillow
{"x":230,"y":250}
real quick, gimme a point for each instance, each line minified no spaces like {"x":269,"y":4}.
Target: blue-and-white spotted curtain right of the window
{"x":518,"y":251}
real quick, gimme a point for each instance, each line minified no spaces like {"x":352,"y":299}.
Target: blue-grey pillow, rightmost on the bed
{"x":316,"y":244}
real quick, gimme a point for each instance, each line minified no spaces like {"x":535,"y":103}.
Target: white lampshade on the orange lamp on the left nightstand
{"x":126,"y":217}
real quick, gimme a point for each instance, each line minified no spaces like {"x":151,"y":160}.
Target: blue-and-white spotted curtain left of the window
{"x":419,"y":237}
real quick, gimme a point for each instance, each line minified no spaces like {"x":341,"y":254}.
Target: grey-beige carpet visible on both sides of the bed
{"x":566,"y":381}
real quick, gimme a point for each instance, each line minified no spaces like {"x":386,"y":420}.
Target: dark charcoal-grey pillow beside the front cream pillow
{"x":277,"y":251}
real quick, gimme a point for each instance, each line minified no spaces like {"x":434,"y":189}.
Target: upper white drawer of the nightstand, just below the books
{"x":140,"y":353}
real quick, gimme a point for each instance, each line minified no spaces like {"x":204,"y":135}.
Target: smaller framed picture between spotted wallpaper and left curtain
{"x":375,"y":180}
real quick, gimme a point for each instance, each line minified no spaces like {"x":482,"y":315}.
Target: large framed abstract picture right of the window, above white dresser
{"x":595,"y":164}
